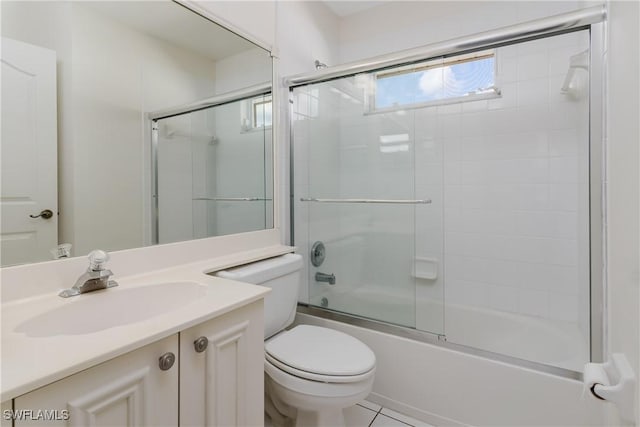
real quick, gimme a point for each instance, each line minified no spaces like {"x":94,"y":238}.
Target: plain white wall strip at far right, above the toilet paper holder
{"x":623,"y":164}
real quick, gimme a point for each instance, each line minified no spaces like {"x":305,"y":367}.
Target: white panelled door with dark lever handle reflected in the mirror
{"x":29,"y":153}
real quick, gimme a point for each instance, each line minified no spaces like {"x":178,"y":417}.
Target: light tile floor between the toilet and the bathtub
{"x":367,"y":414}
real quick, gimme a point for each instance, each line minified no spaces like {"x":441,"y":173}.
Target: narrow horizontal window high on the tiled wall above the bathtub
{"x":442,"y":81}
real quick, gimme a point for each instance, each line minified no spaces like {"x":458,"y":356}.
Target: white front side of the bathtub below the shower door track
{"x":442,"y":386}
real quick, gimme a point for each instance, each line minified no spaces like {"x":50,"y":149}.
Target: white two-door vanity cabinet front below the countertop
{"x":220,"y":384}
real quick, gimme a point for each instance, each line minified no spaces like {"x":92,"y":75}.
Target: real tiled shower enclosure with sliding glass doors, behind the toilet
{"x":451,"y":198}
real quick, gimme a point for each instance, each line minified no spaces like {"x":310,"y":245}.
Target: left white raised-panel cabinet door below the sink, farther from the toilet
{"x":130,"y":390}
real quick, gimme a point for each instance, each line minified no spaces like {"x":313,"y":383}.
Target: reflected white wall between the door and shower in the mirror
{"x":119,"y":74}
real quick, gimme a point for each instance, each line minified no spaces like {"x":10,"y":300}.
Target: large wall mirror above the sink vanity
{"x":127,"y":124}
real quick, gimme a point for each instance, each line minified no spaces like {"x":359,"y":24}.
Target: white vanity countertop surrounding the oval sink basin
{"x":29,"y":361}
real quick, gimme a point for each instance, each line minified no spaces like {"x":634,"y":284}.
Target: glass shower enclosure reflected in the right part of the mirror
{"x":212,"y":167}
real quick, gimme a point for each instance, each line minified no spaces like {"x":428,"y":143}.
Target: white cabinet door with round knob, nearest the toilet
{"x":223,"y":385}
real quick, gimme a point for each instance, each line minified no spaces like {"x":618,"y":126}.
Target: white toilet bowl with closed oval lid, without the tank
{"x":314,"y":373}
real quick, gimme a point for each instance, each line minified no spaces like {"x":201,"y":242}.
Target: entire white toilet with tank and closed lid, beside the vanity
{"x":311,"y":373}
